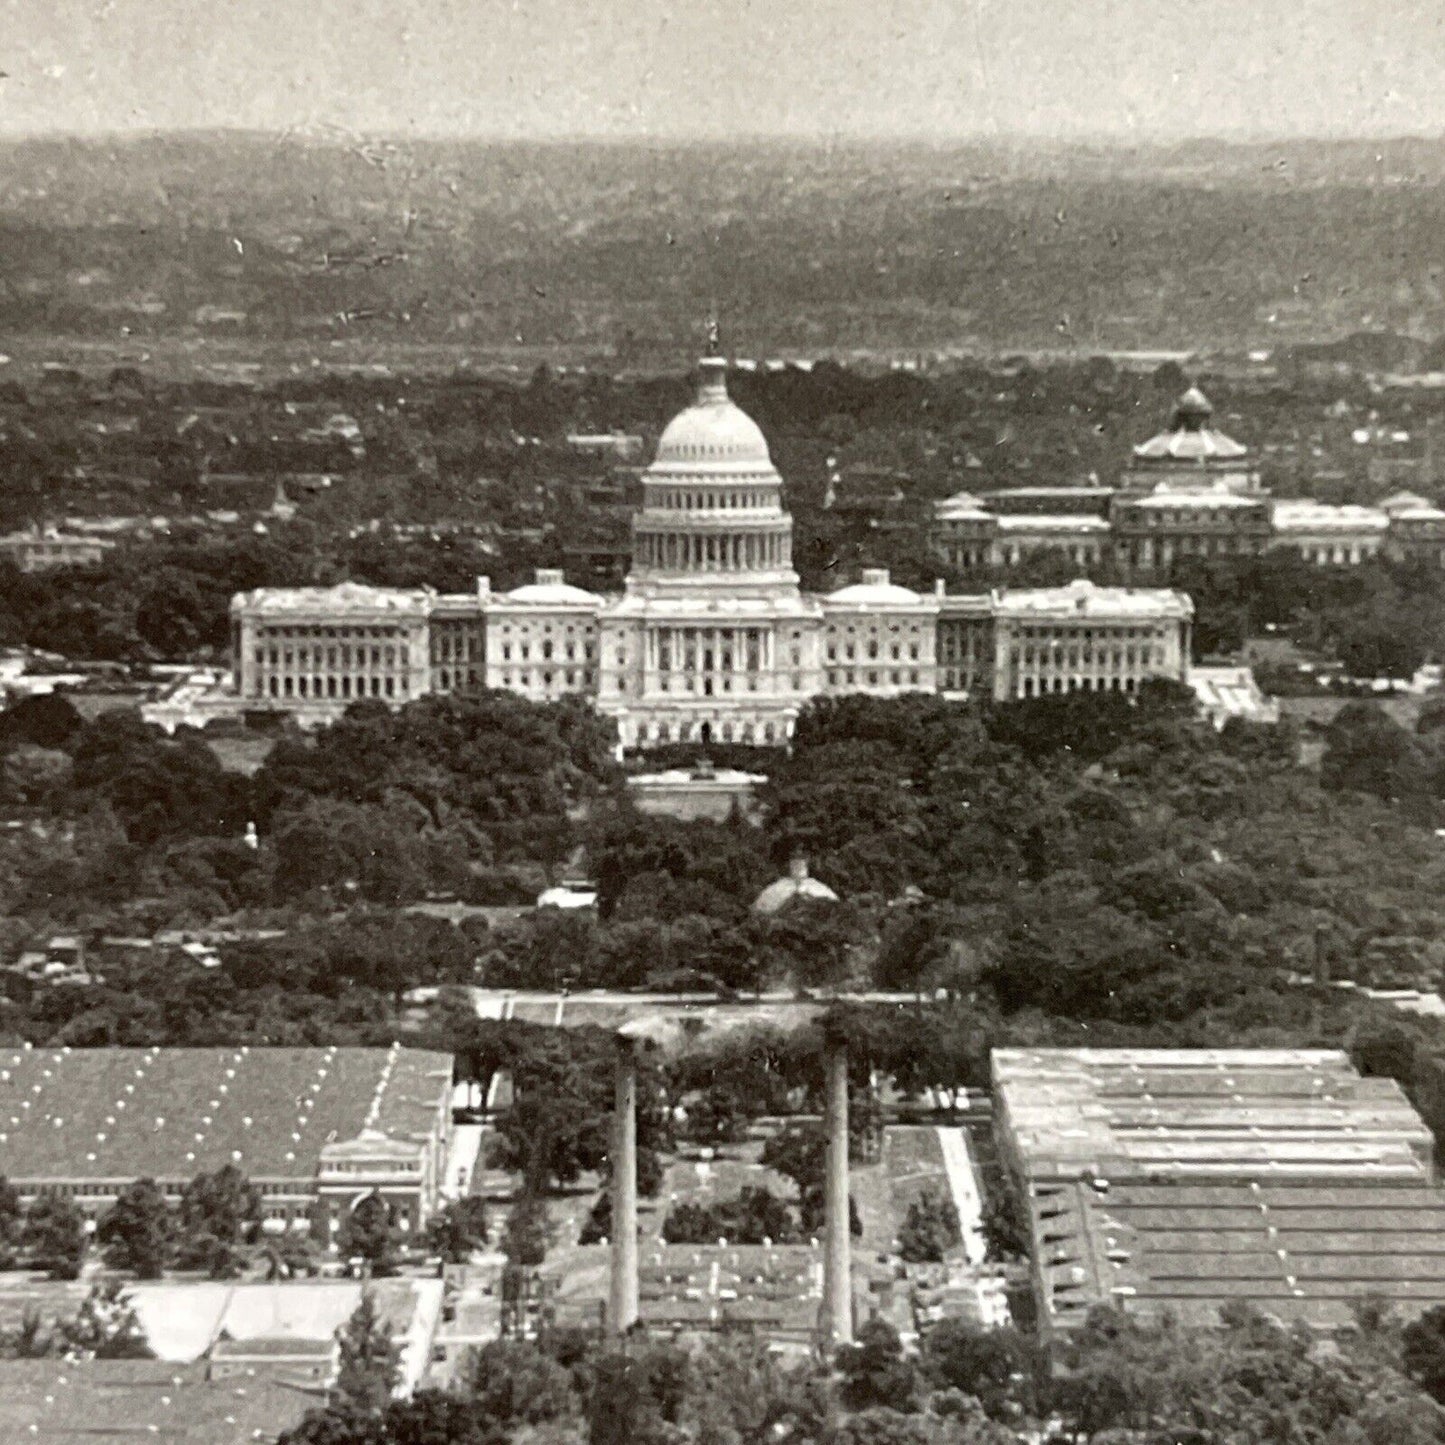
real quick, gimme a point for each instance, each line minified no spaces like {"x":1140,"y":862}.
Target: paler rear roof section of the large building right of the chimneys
{"x":1207,"y":1116}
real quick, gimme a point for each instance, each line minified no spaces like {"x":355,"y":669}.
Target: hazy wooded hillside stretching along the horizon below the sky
{"x":624,"y":246}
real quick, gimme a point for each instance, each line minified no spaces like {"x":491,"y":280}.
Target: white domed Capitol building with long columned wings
{"x":712,"y":642}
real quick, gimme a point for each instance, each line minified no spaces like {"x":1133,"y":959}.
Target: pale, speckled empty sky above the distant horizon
{"x":677,"y":69}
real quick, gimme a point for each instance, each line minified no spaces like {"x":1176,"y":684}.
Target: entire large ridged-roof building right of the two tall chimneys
{"x":1181,"y":1181}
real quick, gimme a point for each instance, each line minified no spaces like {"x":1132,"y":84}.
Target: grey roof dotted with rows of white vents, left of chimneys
{"x":122,"y":1115}
